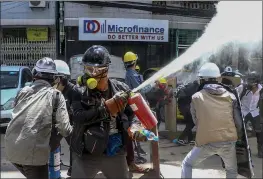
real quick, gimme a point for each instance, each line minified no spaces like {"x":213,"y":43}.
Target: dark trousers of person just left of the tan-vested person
{"x":188,"y":128}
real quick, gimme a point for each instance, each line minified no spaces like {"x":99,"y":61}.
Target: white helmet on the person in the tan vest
{"x":209,"y":70}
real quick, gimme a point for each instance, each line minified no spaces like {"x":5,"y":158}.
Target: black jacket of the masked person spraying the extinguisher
{"x":87,"y":110}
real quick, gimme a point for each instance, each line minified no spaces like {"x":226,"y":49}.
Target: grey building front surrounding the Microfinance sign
{"x":182,"y":32}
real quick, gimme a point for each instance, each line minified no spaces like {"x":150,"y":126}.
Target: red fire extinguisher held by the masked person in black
{"x":142,"y":110}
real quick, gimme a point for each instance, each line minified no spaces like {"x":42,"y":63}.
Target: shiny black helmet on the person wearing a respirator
{"x":97,"y":56}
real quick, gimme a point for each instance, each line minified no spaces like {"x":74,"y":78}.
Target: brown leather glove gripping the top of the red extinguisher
{"x":117,"y":103}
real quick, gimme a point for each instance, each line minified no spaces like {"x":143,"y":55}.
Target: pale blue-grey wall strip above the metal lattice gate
{"x":19,"y":13}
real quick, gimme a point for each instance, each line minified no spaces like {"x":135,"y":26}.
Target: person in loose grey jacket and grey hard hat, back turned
{"x":28,"y":135}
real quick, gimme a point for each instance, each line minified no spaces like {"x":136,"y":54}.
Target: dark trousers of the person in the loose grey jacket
{"x":33,"y":172}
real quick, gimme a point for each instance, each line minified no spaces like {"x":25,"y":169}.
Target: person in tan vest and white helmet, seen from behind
{"x":218,"y":120}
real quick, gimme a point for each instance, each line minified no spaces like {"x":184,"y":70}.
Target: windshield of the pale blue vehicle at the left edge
{"x":9,"y":79}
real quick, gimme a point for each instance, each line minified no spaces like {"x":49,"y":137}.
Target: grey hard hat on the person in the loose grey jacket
{"x":45,"y":68}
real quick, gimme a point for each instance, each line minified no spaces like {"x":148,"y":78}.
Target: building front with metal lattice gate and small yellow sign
{"x":27,"y":31}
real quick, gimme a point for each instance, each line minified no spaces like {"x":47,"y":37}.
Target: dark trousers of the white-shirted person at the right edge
{"x":257,"y":127}
